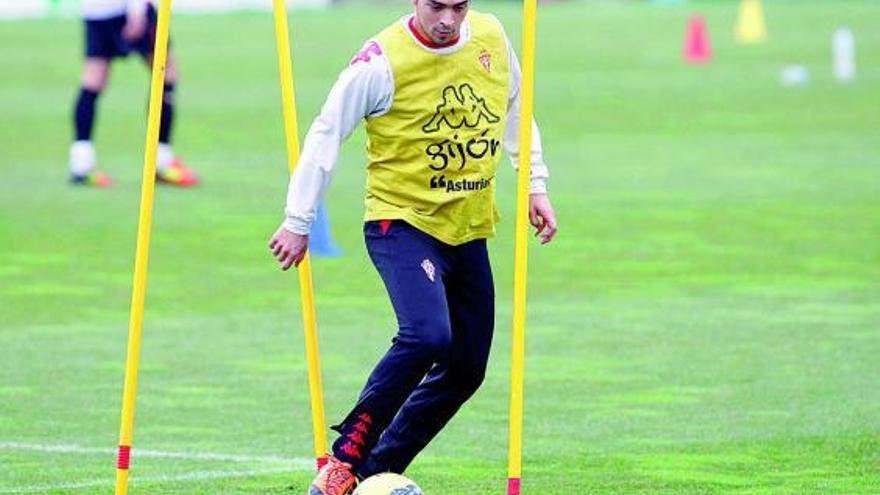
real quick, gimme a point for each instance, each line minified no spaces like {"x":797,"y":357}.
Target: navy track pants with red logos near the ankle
{"x":444,"y":300}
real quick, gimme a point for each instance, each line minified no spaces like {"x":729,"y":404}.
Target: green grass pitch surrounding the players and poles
{"x":707,"y":322}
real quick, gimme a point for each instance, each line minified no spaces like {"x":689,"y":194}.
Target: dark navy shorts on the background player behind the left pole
{"x":104,"y":37}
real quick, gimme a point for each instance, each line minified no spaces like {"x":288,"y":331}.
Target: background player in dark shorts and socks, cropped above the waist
{"x":113,"y":29}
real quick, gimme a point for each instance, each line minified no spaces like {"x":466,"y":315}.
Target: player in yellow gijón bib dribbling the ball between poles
{"x":439,"y":91}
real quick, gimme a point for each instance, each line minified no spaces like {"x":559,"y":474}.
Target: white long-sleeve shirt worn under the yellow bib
{"x":366,"y":89}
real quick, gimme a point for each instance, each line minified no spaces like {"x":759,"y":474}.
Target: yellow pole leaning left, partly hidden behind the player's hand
{"x":305,"y":269}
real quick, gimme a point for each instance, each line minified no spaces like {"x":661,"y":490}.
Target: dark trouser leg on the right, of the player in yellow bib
{"x":471,"y":300}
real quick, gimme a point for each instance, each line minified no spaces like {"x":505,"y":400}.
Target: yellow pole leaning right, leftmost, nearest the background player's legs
{"x":142,"y":253}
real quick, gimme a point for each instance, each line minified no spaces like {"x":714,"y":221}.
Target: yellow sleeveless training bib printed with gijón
{"x":434,"y":155}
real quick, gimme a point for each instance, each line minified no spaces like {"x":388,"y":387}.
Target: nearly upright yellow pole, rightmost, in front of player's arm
{"x":527,"y":93}
